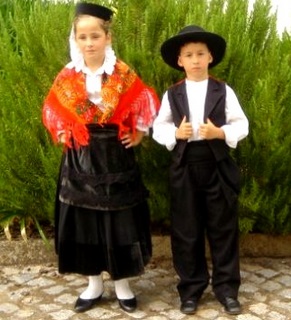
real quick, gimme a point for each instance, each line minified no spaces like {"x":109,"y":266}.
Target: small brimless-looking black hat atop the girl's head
{"x":93,"y":9}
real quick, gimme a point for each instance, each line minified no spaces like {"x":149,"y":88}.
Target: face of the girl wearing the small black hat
{"x":92,"y":39}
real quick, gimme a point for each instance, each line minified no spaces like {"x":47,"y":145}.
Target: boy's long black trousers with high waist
{"x":200,"y":208}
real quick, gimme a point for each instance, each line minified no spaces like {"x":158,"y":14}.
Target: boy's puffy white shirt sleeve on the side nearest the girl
{"x":164,"y":128}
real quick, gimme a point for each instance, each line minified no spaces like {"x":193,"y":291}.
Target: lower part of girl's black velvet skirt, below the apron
{"x":90,"y":241}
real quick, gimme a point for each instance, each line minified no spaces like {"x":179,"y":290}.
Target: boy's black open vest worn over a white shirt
{"x":214,"y":110}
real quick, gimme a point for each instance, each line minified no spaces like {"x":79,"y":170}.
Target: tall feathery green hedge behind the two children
{"x":257,"y":65}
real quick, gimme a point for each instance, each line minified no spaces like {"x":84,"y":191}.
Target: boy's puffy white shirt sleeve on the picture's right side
{"x":237,"y":125}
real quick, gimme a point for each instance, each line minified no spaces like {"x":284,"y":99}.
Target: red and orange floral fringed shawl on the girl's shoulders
{"x":126,"y":100}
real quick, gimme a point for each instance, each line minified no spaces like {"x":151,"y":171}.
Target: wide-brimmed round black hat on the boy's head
{"x":170,"y":49}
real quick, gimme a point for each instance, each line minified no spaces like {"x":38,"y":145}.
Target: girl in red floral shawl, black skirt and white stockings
{"x":99,"y":109}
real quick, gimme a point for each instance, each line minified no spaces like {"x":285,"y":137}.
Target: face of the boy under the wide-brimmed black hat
{"x":195,"y":58}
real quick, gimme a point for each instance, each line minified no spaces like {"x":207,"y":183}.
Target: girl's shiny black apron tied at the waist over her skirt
{"x":103,"y":175}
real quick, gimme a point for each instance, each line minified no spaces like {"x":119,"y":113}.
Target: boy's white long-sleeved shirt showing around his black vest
{"x":235,"y":129}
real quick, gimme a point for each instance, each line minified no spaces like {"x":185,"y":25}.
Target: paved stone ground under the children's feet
{"x":38,"y":292}
